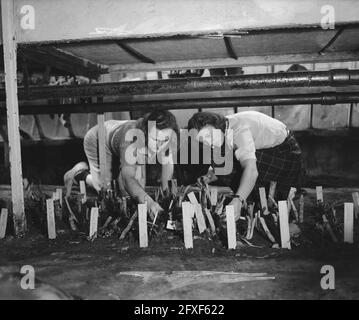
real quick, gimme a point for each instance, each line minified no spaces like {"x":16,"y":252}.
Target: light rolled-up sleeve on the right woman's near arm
{"x":244,"y":147}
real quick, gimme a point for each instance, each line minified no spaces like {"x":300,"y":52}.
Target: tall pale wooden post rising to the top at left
{"x":12,"y":107}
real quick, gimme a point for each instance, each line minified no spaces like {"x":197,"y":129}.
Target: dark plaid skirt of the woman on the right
{"x":283,"y":164}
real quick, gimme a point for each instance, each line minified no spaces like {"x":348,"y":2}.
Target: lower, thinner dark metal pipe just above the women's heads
{"x":324,"y":98}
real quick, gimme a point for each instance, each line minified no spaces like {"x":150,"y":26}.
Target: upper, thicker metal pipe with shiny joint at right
{"x":253,"y":81}
